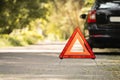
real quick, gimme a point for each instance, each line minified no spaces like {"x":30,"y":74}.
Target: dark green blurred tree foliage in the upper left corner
{"x":16,"y":14}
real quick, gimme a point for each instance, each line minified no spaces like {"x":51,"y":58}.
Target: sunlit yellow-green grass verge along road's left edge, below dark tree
{"x":22,"y":39}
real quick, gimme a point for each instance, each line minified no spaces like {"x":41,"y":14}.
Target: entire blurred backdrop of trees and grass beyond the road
{"x":26,"y":22}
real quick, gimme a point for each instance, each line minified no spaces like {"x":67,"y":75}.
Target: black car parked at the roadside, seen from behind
{"x":103,"y":24}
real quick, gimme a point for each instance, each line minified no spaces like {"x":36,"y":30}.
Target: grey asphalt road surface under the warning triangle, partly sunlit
{"x":45,"y":65}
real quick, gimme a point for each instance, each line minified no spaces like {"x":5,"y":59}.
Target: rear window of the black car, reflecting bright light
{"x":111,"y":5}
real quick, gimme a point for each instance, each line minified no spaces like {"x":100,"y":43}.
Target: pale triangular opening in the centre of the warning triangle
{"x":77,"y":47}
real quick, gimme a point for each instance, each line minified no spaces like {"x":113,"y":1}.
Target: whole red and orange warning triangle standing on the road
{"x":74,"y":46}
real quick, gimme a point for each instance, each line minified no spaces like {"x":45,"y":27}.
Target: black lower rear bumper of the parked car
{"x":104,"y":41}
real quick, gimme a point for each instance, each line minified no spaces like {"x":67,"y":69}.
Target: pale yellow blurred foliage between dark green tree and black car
{"x":64,"y":18}
